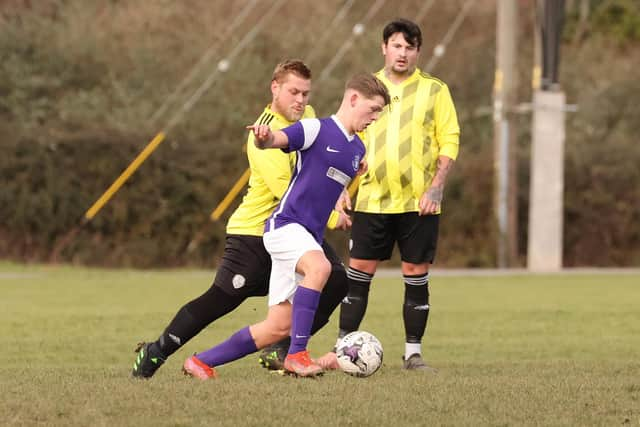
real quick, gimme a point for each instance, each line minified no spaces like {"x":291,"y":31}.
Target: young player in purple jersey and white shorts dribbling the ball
{"x":329,"y":155}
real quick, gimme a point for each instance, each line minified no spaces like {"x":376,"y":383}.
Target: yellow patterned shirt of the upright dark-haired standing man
{"x":403,"y":145}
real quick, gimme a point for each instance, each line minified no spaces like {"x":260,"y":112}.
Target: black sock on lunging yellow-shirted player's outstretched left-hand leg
{"x":194,"y":317}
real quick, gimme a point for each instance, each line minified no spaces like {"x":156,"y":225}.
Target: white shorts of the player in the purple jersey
{"x":286,"y":245}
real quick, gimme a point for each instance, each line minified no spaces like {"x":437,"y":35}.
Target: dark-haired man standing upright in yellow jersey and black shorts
{"x":410,"y":150}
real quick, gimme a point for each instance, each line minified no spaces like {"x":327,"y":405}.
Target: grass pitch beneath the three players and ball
{"x":511,"y":350}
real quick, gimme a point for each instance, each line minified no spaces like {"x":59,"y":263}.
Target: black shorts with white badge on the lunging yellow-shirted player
{"x":246,"y":266}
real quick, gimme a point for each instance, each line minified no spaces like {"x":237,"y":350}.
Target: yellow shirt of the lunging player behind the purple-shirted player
{"x":270,"y":175}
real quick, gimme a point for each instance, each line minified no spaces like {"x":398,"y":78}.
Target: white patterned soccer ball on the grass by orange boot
{"x":359,"y":354}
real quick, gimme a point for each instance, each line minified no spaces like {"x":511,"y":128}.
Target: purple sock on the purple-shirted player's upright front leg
{"x":305,"y":303}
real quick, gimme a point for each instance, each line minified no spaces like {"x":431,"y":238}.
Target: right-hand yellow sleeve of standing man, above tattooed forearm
{"x":446,"y":124}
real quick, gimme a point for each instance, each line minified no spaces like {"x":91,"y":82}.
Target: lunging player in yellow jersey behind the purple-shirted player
{"x":246,"y":265}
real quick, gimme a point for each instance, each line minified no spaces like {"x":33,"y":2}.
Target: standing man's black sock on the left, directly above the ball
{"x":354,"y":306}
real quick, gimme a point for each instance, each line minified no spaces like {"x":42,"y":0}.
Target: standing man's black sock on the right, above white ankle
{"x":416,"y":306}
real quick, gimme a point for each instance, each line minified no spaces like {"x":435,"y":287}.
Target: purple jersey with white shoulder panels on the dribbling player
{"x":327,"y":160}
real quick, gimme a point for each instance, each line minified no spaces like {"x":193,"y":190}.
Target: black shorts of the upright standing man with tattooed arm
{"x":374,"y":235}
